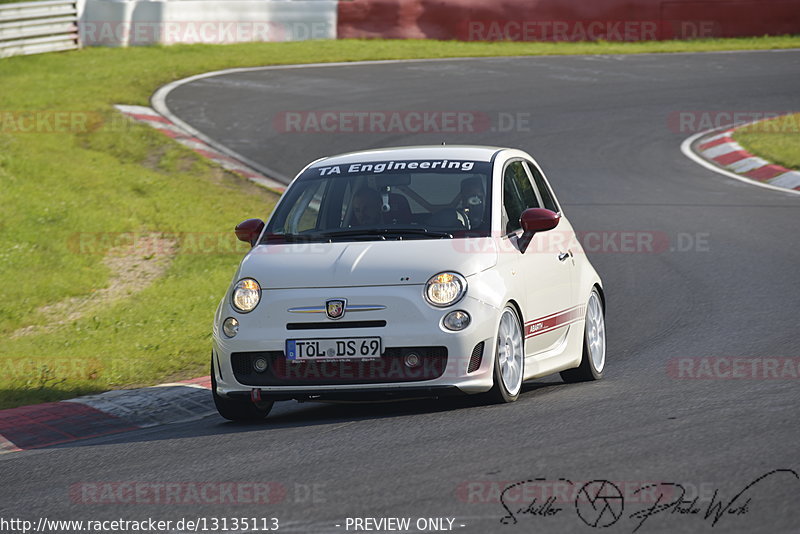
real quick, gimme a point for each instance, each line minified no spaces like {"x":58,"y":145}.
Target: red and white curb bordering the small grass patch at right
{"x":716,"y":150}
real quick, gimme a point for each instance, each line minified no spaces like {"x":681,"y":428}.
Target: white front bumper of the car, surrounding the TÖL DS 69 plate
{"x":408,"y":323}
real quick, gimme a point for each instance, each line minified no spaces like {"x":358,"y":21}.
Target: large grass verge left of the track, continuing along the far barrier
{"x":116,"y":176}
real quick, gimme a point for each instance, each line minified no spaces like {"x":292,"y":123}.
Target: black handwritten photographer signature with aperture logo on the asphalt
{"x":601,"y":503}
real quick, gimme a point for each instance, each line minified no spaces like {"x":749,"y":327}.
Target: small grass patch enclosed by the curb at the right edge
{"x":776,"y":140}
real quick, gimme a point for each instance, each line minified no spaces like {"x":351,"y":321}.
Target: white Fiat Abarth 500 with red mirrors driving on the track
{"x":407,"y":273}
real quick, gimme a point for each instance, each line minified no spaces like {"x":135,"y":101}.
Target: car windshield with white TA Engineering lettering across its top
{"x":402,"y":199}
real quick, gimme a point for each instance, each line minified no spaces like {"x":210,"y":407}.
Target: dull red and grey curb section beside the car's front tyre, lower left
{"x":56,"y":423}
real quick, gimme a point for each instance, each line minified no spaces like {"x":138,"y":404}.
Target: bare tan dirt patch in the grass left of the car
{"x":132,"y":270}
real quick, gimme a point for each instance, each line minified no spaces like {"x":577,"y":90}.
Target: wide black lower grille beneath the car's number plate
{"x":389,"y":368}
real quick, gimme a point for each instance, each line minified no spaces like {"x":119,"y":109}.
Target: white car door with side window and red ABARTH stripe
{"x":546,"y":265}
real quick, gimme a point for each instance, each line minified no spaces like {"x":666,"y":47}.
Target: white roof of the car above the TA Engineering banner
{"x":453,"y":152}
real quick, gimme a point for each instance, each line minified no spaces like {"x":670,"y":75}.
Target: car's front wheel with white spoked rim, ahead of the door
{"x":509,"y":358}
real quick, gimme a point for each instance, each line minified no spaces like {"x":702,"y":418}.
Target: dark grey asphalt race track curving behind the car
{"x":600,"y":128}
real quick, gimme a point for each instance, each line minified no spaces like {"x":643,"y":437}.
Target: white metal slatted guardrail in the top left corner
{"x":37,"y":27}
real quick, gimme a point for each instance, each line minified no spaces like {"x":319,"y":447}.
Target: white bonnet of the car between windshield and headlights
{"x":365,"y":263}
